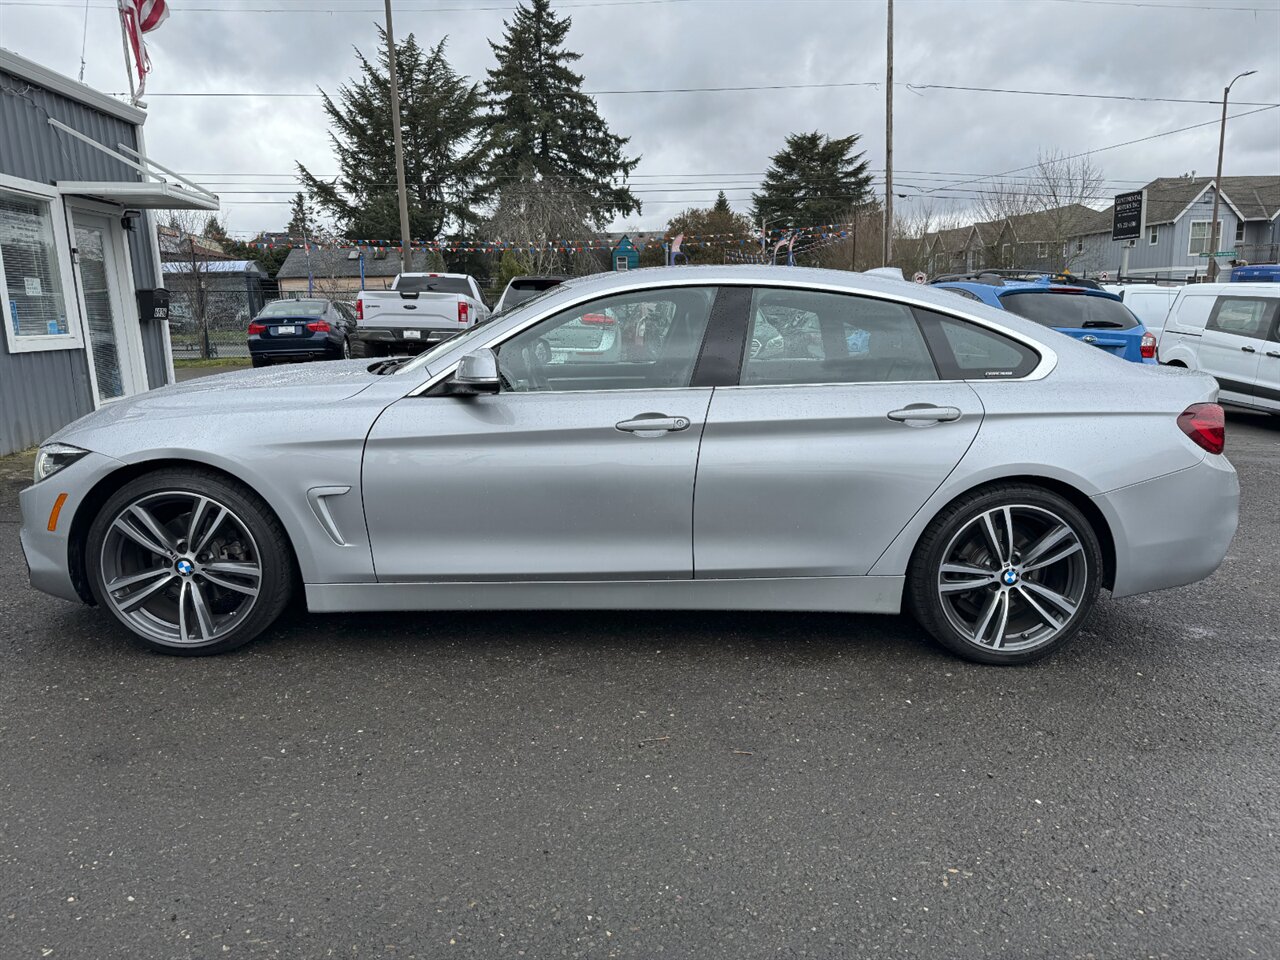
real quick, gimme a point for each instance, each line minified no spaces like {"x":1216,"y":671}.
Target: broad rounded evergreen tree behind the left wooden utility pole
{"x":440,"y":121}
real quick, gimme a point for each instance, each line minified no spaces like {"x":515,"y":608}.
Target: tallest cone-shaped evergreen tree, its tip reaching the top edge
{"x":543,"y":127}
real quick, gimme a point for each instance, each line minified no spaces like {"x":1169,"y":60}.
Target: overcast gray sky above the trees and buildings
{"x":696,"y":144}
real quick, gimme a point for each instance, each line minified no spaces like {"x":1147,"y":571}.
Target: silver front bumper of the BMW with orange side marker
{"x":48,"y":552}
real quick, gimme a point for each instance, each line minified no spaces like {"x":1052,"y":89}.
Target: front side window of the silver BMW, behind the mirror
{"x":648,"y":340}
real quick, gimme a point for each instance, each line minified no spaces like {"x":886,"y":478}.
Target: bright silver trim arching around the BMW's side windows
{"x":1046,"y":354}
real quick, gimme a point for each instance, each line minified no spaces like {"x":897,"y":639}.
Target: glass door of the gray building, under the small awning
{"x":115,"y":348}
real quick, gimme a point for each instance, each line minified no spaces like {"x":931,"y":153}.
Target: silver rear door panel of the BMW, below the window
{"x":817,"y":481}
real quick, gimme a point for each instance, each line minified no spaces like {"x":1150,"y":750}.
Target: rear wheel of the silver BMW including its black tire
{"x":947,"y":536}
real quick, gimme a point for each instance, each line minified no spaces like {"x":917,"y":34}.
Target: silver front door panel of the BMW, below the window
{"x":538,"y":486}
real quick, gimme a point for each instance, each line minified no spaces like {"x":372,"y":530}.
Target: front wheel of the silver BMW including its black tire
{"x":190,"y":563}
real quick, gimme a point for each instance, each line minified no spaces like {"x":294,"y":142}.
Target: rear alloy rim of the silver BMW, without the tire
{"x":1013,"y":578}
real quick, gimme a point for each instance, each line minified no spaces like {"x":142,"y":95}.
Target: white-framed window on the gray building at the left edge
{"x":35,"y":301}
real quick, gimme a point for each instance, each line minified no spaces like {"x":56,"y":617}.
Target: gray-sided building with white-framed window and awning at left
{"x":79,"y":255}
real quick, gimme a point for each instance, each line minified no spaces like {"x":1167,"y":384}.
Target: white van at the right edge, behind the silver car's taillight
{"x":1231,"y":331}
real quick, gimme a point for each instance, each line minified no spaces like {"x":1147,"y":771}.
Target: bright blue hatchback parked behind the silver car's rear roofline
{"x":1067,"y":305}
